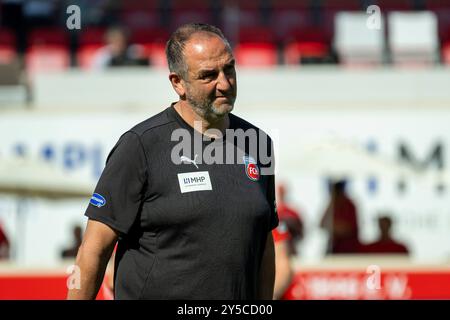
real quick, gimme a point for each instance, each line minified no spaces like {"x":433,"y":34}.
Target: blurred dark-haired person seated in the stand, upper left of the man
{"x":118,"y":52}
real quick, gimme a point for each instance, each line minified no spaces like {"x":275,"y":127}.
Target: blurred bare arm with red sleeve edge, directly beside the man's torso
{"x":284,"y":272}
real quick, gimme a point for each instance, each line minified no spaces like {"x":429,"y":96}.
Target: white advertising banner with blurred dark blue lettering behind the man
{"x":394,"y":159}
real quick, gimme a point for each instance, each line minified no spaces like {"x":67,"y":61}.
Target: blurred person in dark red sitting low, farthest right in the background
{"x":385,"y":244}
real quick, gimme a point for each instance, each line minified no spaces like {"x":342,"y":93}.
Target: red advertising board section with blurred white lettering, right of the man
{"x":389,"y":284}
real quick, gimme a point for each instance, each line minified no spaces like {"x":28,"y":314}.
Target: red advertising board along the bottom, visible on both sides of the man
{"x":308,"y":284}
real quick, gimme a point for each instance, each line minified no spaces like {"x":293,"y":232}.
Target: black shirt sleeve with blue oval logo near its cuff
{"x":121,"y":188}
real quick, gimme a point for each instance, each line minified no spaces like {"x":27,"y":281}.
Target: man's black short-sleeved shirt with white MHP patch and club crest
{"x":189,"y":230}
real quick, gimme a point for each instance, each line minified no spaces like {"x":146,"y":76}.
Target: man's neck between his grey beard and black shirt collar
{"x":198,"y":122}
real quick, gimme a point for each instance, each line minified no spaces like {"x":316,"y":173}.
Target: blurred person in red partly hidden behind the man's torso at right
{"x":290,"y":217}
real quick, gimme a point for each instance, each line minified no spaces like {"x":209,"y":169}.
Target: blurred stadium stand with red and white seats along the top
{"x":292,"y":32}
